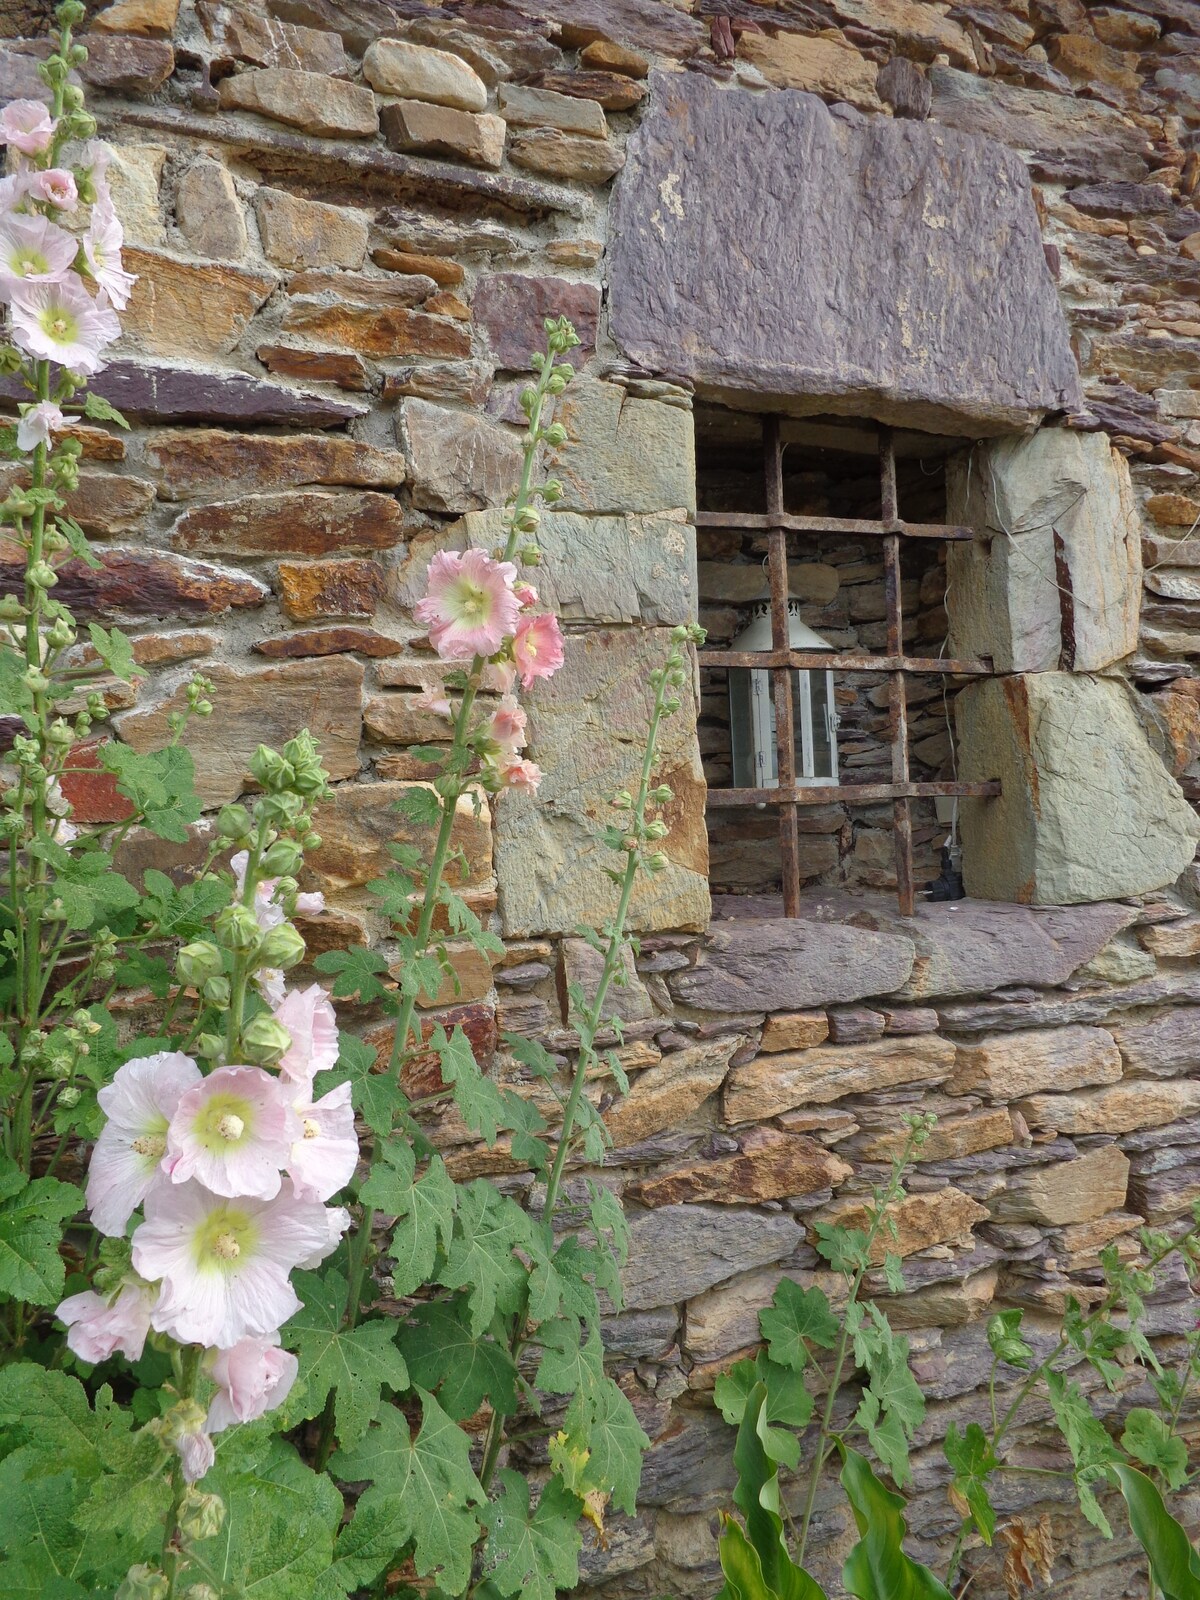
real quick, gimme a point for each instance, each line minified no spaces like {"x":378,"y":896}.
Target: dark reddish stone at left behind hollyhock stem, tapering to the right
{"x":146,"y":583}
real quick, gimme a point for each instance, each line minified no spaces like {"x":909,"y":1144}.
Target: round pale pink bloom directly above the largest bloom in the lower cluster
{"x":234,"y":1134}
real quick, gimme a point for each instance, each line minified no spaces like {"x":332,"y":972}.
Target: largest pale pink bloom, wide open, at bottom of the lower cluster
{"x":225,"y":1263}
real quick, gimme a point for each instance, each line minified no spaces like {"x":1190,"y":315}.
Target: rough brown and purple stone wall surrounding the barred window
{"x":350,"y":218}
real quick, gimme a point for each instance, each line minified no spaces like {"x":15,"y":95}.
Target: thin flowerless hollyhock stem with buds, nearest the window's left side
{"x":590,"y":1026}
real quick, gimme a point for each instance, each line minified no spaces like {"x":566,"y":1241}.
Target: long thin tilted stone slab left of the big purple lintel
{"x":345,"y":170}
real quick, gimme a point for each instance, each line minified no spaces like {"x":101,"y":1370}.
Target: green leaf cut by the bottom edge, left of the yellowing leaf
{"x":532,"y":1553}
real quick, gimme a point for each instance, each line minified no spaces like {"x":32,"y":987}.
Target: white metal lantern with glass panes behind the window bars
{"x":756,"y":754}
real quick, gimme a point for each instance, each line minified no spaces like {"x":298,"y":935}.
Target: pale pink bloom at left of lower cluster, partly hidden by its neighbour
{"x":127,"y":1161}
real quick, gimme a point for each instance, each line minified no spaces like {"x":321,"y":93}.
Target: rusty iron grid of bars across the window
{"x":782,"y":662}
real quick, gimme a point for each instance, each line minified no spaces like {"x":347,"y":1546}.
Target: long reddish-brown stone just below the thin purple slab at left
{"x":210,"y":462}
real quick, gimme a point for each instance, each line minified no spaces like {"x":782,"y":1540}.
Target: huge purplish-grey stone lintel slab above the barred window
{"x":876,"y":290}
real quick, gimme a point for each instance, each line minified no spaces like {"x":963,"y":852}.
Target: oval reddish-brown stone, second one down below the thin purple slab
{"x":300,"y":524}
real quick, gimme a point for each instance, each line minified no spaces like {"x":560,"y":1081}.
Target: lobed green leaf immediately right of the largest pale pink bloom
{"x":358,"y":1362}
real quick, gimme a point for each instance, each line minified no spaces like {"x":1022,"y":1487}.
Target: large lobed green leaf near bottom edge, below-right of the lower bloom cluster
{"x":423,"y":1486}
